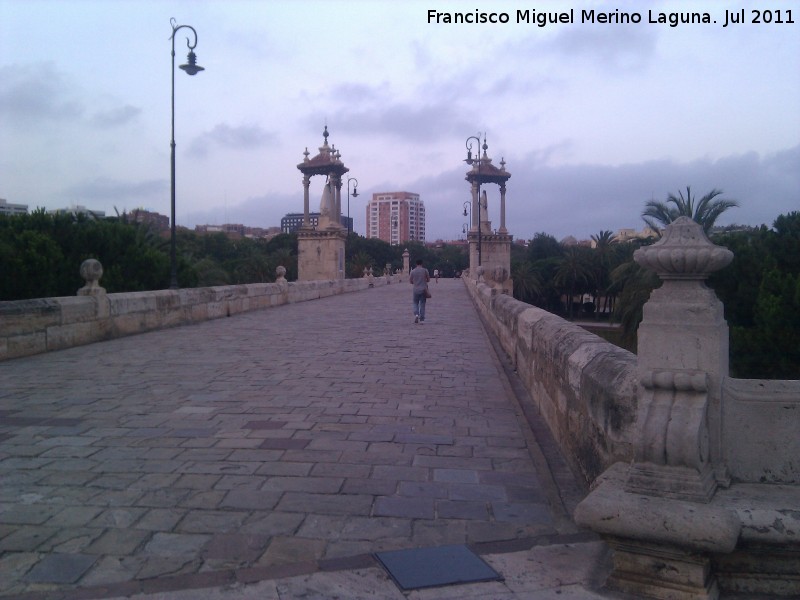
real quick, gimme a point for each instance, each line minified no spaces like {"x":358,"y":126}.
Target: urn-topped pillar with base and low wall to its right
{"x":675,"y":535}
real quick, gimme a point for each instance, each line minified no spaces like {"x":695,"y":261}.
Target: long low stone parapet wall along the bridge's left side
{"x":30,"y":327}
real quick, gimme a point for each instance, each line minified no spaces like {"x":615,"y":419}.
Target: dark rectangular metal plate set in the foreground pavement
{"x":430,"y":567}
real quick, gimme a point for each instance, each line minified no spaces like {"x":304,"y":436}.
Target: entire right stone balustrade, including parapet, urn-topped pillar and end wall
{"x":695,"y":475}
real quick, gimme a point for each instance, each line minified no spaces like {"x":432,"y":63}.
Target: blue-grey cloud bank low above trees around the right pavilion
{"x":580,"y":200}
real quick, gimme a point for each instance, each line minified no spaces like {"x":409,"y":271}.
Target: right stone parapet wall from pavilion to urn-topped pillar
{"x":584,"y":387}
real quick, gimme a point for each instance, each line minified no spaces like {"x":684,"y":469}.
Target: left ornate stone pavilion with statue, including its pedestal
{"x":321,"y":250}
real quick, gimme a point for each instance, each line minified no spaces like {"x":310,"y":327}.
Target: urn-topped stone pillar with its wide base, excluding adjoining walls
{"x":659,"y":514}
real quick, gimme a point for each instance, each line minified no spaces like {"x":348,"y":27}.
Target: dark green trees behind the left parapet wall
{"x":40,"y":256}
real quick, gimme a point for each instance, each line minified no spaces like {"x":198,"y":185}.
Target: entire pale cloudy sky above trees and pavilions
{"x":593,"y":119}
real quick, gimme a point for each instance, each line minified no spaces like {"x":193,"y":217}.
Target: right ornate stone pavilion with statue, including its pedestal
{"x":489,"y":251}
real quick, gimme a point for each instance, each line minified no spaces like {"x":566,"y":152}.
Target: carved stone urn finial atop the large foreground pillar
{"x":684,"y":252}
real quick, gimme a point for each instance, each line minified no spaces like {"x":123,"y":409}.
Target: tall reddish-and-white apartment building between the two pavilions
{"x":396,"y":217}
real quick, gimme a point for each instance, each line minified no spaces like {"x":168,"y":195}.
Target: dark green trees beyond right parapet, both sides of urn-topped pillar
{"x":760,"y":290}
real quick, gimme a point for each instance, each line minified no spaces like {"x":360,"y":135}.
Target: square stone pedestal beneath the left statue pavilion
{"x":320,"y":254}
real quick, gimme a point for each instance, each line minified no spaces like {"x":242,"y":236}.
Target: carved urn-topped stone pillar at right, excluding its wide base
{"x":682,"y":327}
